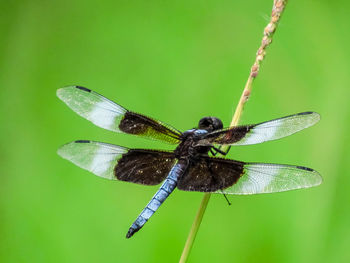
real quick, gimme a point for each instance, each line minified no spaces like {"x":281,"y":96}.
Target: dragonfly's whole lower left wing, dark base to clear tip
{"x":118,"y":163}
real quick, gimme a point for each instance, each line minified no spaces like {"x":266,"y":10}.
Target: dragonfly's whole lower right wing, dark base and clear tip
{"x":225,"y":176}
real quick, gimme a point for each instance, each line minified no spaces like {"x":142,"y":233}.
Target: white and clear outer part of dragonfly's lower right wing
{"x":259,"y":178}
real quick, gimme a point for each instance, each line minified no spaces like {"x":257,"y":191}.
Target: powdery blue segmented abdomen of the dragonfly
{"x":164,"y":191}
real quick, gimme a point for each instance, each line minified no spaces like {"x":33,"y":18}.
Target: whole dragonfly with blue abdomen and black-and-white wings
{"x":193,"y":165}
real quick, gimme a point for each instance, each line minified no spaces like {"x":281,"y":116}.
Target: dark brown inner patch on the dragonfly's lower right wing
{"x":210,"y":175}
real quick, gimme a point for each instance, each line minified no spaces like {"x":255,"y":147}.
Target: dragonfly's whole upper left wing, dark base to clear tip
{"x":111,"y":116}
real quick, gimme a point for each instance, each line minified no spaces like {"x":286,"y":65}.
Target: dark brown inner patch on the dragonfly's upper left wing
{"x":137,"y":124}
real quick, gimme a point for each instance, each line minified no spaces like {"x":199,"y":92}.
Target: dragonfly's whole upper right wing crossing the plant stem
{"x":265,"y":131}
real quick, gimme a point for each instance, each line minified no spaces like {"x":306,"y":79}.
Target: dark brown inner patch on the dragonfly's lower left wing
{"x":144,"y":166}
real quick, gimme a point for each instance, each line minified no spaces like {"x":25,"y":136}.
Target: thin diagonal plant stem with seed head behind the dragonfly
{"x":277,"y":10}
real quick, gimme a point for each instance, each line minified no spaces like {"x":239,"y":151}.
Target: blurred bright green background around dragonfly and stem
{"x":176,"y":61}
